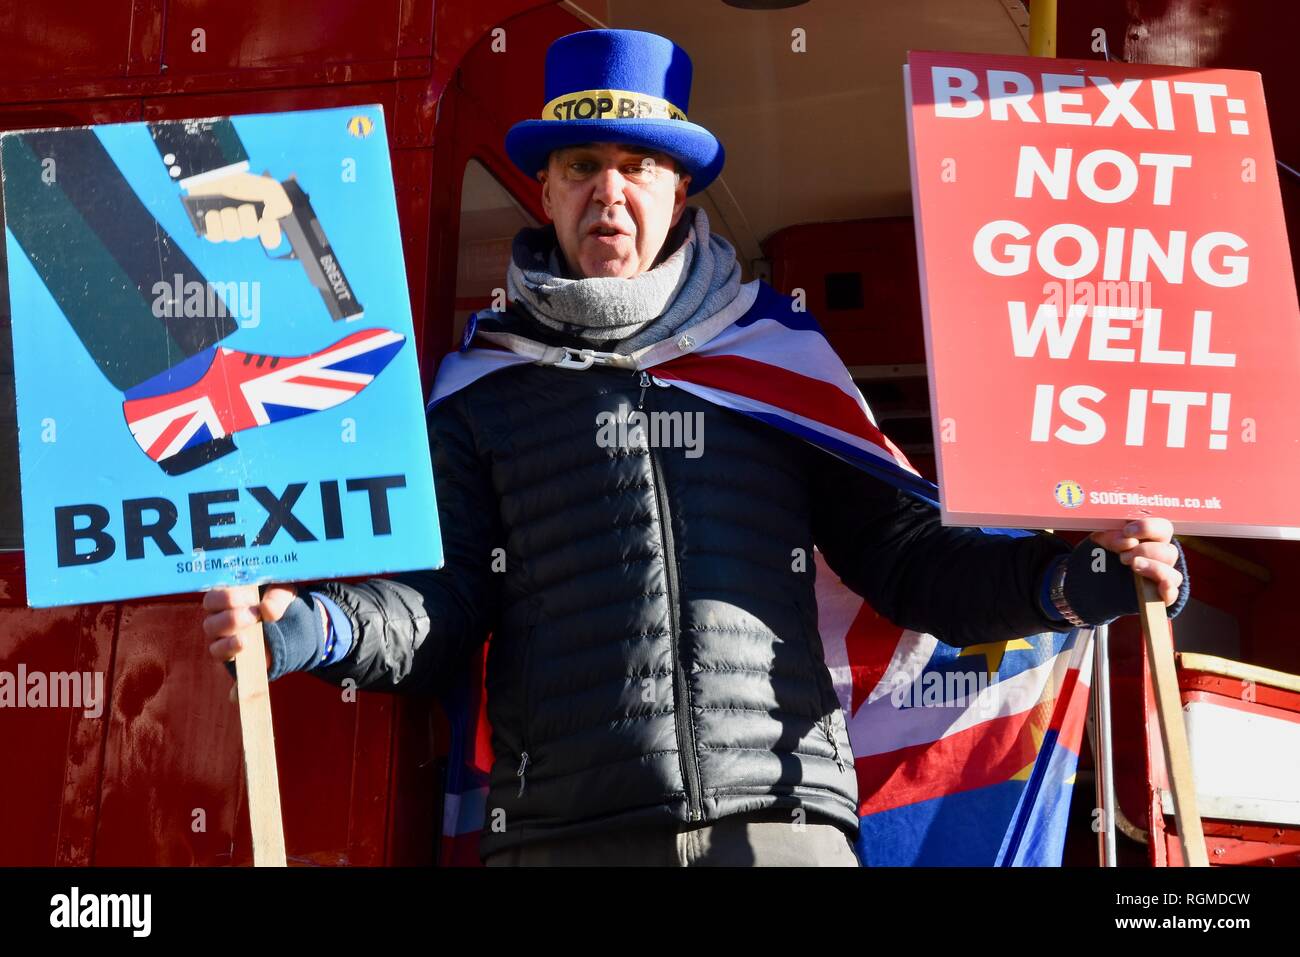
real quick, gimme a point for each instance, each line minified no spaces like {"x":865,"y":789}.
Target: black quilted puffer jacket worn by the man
{"x":656,"y":649}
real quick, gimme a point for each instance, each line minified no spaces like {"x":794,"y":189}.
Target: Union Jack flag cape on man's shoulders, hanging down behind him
{"x":963,"y":756}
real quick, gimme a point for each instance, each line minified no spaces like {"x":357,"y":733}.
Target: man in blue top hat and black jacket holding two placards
{"x":656,"y":682}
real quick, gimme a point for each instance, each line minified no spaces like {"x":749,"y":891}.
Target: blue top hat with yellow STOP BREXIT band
{"x":618,"y":86}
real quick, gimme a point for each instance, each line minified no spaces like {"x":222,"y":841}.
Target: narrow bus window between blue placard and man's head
{"x":489,"y":220}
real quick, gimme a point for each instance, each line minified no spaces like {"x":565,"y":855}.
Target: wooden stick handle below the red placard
{"x":1173,"y":733}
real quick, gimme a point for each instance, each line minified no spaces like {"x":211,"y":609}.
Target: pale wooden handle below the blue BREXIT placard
{"x":259,"y":742}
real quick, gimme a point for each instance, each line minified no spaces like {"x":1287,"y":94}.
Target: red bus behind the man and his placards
{"x":816,"y":197}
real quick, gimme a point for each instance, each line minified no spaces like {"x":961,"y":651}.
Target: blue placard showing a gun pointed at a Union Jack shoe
{"x":214,"y":354}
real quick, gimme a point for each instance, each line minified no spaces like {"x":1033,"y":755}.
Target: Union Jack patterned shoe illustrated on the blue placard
{"x":188,"y":417}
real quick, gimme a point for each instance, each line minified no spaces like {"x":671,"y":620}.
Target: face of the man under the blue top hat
{"x":613,"y":206}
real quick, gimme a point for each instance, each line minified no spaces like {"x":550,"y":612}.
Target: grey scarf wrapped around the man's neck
{"x":700,"y":278}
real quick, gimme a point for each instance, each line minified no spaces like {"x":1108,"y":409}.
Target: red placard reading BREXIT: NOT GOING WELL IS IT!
{"x":1111,"y":313}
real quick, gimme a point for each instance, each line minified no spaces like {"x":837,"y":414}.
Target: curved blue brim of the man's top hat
{"x":530,"y":144}
